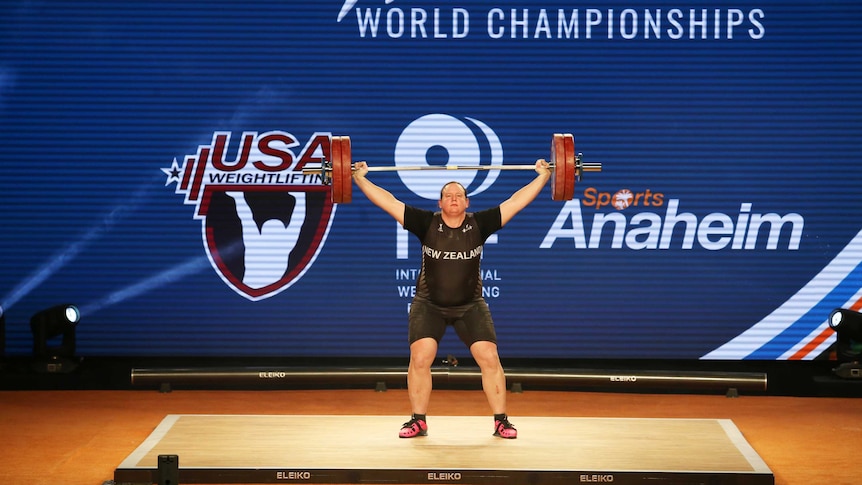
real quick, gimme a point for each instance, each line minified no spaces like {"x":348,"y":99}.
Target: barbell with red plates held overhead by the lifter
{"x":566,"y":168}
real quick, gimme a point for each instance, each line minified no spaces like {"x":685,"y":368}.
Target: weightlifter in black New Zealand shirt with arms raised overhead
{"x":449,"y":288}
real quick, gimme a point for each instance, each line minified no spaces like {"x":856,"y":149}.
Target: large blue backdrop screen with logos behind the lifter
{"x":153,"y":155}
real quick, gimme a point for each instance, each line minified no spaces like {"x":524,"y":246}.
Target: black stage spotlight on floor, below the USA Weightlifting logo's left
{"x":57,"y":321}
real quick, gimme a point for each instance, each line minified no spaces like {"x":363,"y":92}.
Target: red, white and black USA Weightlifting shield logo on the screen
{"x":263,"y":221}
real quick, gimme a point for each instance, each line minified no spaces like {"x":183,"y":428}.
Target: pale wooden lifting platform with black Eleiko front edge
{"x":458,"y":449}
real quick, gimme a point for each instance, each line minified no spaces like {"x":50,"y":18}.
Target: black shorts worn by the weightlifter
{"x":472,"y":322}
